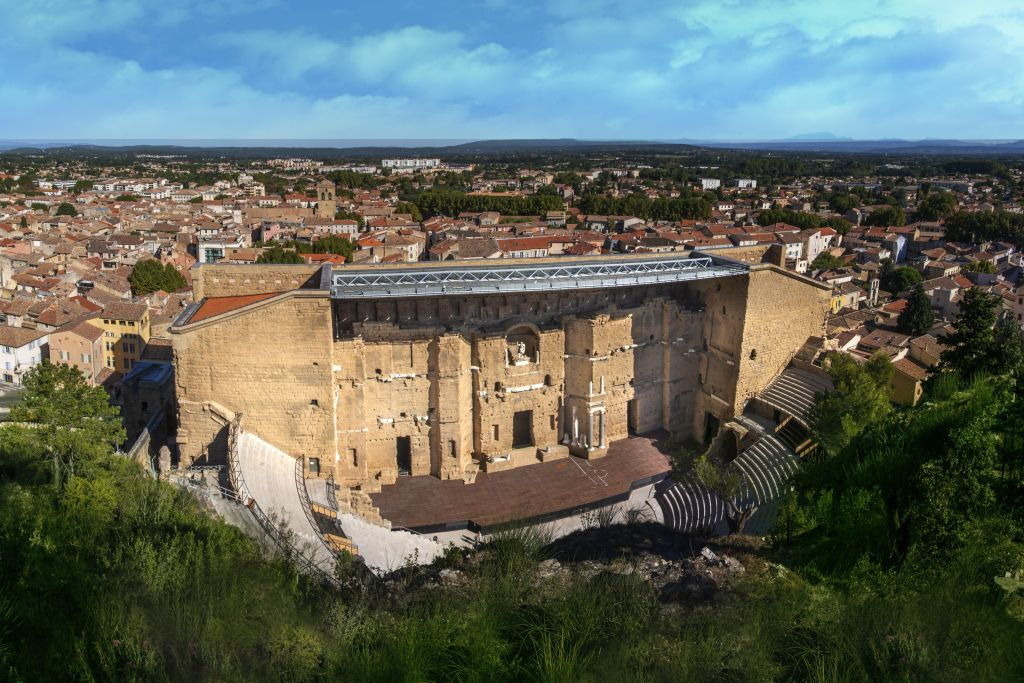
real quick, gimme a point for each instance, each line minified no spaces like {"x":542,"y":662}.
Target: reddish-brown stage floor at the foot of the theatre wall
{"x":425,"y":503}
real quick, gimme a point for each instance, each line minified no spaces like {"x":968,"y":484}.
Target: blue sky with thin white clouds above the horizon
{"x":497,"y":69}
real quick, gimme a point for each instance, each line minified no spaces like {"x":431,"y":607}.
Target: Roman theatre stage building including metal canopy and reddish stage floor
{"x":409,"y":388}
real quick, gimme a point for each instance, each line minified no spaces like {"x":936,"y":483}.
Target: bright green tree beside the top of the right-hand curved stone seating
{"x":861,"y":399}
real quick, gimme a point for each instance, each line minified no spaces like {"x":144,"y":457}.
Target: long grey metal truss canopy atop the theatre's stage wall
{"x":599,"y":274}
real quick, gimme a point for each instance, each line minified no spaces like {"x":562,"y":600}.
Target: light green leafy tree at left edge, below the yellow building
{"x":65,"y":419}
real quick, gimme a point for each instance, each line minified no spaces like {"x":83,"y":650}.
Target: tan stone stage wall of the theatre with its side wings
{"x":461,"y":377}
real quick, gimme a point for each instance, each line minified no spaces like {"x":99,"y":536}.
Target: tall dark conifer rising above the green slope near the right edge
{"x":971,"y":348}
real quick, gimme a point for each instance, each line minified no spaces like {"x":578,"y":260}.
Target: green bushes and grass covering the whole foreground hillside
{"x":118,"y":577}
